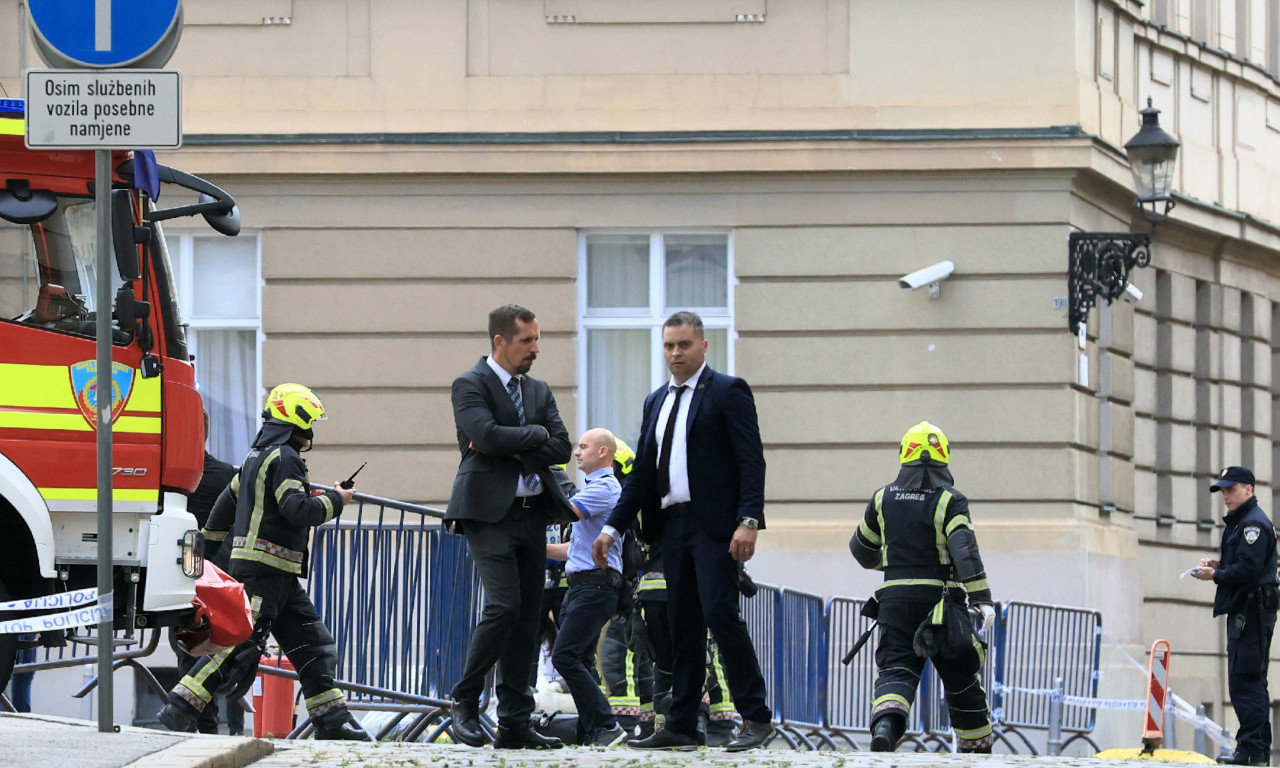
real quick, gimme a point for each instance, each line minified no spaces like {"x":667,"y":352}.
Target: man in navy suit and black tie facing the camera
{"x":700,"y":481}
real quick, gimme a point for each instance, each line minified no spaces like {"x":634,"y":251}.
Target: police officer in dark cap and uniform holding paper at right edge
{"x":1246,"y":578}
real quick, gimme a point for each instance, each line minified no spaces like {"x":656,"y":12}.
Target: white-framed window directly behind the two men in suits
{"x":629,"y":284}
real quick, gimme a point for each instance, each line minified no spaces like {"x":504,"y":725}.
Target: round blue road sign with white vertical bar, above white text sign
{"x":106,"y":33}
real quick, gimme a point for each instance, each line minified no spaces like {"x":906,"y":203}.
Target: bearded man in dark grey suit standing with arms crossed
{"x":509,"y":433}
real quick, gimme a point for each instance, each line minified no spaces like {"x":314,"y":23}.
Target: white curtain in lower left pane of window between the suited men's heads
{"x":618,"y":381}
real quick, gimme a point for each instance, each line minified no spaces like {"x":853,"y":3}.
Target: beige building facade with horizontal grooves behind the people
{"x":405,"y":166}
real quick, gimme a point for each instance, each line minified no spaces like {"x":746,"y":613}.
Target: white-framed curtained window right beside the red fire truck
{"x":220,"y":290}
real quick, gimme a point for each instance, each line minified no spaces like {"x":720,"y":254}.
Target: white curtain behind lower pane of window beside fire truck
{"x":227,"y":374}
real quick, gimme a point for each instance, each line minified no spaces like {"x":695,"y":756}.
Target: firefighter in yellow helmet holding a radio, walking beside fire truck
{"x":266,"y":518}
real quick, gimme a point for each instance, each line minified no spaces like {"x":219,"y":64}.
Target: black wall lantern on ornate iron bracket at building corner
{"x":1101,"y":262}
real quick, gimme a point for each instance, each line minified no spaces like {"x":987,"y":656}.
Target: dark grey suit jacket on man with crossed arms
{"x":486,"y":417}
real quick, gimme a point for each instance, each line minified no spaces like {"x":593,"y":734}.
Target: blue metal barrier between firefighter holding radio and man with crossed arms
{"x":400,"y":596}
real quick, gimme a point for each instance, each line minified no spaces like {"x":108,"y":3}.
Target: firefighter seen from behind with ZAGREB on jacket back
{"x":918,"y":532}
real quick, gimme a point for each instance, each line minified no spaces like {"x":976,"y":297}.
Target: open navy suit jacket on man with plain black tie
{"x":725,"y":460}
